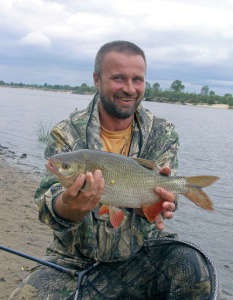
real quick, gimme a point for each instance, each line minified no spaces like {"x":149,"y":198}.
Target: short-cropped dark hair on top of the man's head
{"x":118,"y":46}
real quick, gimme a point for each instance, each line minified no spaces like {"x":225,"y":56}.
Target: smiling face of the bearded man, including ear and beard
{"x":121,"y":84}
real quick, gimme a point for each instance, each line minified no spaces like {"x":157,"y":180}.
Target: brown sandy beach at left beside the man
{"x":20,"y":228}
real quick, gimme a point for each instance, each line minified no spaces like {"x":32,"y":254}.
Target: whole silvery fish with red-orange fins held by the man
{"x":128,"y":182}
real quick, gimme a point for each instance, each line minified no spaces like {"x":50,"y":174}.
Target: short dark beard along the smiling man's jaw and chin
{"x":118,"y":112}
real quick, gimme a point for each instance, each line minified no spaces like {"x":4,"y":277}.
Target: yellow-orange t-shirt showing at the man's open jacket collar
{"x":117,"y":141}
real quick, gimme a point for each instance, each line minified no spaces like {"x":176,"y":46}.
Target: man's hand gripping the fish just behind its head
{"x":74,"y":203}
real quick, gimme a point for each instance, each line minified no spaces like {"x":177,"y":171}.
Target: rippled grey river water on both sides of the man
{"x":206,"y":148}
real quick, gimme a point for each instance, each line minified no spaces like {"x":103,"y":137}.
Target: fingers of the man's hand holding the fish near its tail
{"x":168,"y":201}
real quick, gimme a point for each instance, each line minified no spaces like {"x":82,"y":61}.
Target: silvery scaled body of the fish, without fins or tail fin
{"x":127,"y":183}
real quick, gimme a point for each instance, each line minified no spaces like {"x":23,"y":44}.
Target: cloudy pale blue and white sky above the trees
{"x":55,"y":41}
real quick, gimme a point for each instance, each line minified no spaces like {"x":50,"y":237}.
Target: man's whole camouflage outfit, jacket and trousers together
{"x":129,"y":268}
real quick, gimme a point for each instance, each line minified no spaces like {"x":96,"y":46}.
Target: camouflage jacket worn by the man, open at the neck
{"x":93,"y":238}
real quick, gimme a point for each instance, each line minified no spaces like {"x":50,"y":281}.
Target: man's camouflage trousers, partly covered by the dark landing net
{"x":163,"y":269}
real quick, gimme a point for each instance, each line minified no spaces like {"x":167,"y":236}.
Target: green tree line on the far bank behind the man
{"x":153,"y":92}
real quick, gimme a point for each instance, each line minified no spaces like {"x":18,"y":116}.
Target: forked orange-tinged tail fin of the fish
{"x":195,"y":193}
